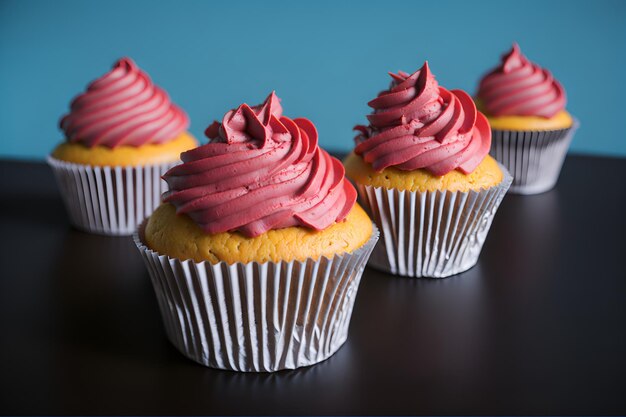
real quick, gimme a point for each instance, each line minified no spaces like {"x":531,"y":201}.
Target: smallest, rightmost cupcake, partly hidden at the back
{"x":525,"y":106}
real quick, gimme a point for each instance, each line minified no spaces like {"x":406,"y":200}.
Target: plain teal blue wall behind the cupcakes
{"x":325,"y":59}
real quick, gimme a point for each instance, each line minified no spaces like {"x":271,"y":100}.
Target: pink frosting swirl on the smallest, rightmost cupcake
{"x":518,"y":87}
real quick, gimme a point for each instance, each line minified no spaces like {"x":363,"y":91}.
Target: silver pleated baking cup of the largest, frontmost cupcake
{"x":257,"y":317}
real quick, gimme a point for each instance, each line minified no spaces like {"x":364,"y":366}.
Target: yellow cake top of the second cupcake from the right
{"x":486,"y":175}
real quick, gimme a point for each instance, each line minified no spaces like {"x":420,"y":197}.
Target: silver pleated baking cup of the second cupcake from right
{"x":431,"y":234}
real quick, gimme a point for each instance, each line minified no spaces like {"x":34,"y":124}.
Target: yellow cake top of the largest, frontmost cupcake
{"x":179,"y":237}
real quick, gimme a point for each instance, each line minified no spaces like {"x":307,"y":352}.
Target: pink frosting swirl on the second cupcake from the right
{"x":418,"y":124}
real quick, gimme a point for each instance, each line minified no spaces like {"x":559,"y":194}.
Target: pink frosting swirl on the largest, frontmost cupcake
{"x":260,"y":171}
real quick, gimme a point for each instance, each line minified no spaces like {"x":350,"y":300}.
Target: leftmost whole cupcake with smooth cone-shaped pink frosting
{"x":121,"y":136}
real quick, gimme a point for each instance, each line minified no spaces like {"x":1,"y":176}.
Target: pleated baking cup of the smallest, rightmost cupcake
{"x":534,"y":158}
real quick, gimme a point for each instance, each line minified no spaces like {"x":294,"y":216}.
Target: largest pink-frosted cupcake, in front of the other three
{"x":257,"y":251}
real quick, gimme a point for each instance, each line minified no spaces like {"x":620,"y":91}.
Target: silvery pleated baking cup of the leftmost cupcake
{"x":109,"y":200}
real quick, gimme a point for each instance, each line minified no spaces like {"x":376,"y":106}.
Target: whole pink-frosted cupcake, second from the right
{"x":423,"y":171}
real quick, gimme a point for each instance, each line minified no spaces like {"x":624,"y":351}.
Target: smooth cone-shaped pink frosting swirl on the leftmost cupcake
{"x":123,"y":107}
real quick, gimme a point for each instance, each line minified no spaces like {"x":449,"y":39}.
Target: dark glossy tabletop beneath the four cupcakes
{"x":537,"y":327}
